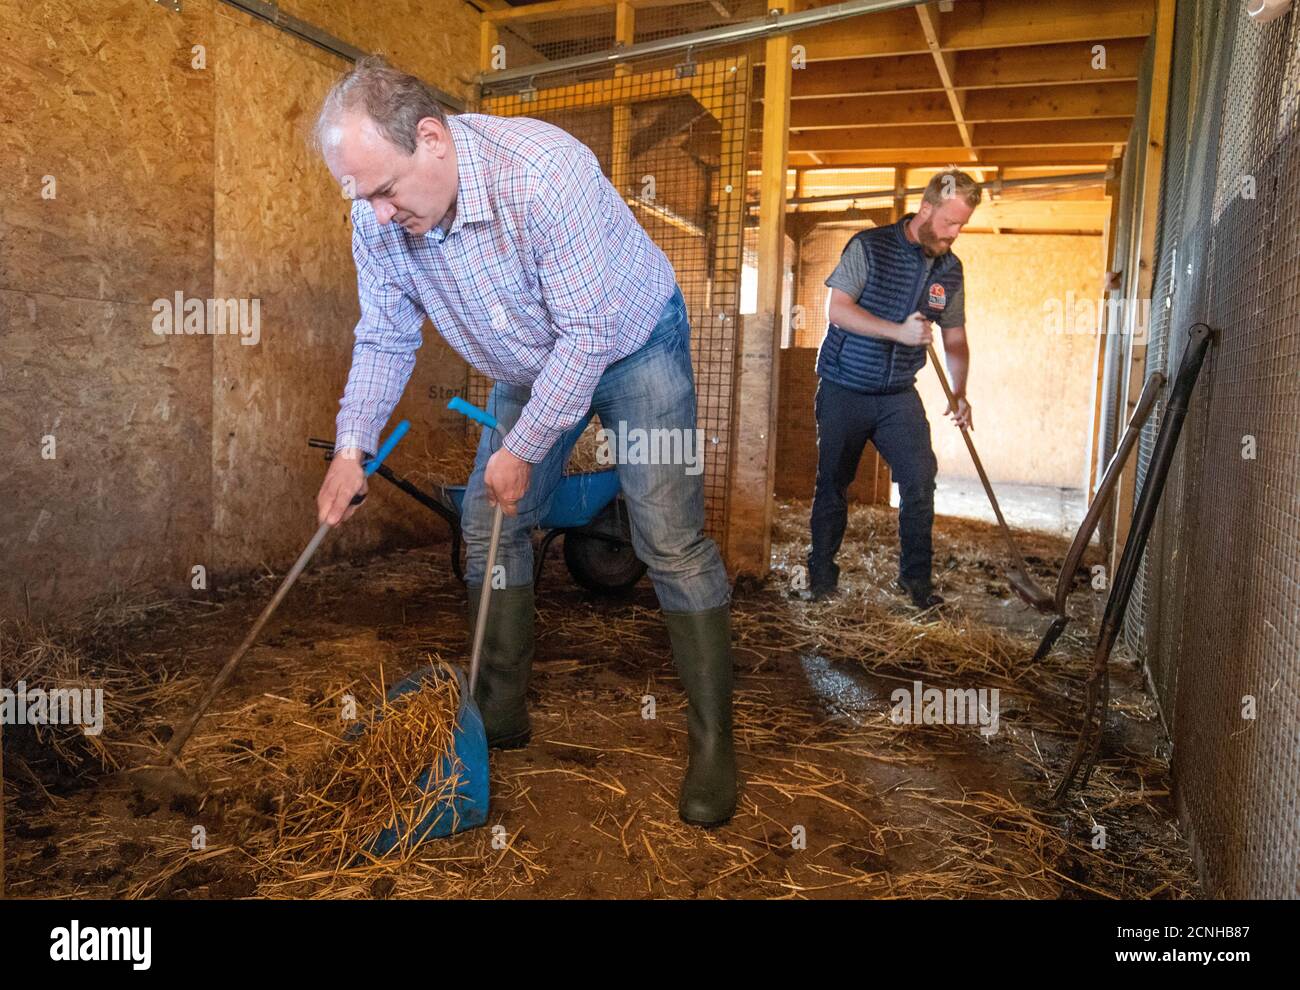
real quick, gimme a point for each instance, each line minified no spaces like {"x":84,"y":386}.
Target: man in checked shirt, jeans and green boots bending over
{"x":508,"y":237}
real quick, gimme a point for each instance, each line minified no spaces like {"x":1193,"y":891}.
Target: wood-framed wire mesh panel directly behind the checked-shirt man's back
{"x":671,"y":138}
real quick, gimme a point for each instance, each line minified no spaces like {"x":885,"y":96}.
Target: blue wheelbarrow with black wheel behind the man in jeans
{"x":588,"y":510}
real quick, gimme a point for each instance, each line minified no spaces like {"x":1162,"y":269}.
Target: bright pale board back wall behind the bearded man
{"x":1030,"y":389}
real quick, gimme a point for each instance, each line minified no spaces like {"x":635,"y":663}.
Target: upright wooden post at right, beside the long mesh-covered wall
{"x":1146,"y":271}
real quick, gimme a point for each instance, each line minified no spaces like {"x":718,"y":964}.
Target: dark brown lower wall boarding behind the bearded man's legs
{"x":796,"y":438}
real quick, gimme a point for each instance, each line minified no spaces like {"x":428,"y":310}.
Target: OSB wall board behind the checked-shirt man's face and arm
{"x":288,"y":244}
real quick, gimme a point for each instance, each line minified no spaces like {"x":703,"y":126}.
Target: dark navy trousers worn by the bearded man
{"x":898,"y":427}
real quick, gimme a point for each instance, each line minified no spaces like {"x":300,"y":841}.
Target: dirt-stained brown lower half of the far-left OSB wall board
{"x":125,"y":503}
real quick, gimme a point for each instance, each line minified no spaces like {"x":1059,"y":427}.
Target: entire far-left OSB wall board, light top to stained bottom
{"x":102,"y":98}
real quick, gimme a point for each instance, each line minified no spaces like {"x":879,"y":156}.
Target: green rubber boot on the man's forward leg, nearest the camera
{"x":701,"y":650}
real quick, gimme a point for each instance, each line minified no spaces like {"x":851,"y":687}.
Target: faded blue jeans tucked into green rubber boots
{"x":653,"y":389}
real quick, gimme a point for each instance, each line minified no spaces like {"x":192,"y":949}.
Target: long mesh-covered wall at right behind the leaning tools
{"x":1220,"y":614}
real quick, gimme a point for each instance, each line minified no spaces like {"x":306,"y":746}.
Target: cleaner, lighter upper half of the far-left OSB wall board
{"x":103,"y":98}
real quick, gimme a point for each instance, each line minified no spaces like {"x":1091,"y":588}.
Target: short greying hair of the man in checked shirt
{"x":396,"y":101}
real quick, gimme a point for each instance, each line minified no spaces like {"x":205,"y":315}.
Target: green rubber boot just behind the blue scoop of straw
{"x":505,"y":665}
